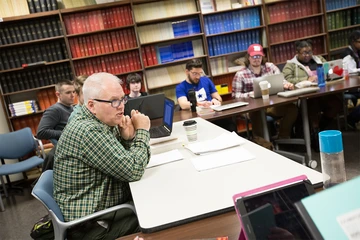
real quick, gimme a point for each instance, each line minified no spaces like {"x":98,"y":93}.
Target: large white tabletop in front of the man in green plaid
{"x":175,"y":193}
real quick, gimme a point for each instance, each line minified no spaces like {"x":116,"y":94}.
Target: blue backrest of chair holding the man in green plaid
{"x":43,"y":191}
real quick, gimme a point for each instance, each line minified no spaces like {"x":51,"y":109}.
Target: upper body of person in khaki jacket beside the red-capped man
{"x":303,"y":65}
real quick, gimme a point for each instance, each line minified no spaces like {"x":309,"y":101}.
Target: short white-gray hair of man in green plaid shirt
{"x":94,"y":86}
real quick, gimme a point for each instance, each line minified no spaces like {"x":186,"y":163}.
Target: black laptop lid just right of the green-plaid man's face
{"x":150,"y":105}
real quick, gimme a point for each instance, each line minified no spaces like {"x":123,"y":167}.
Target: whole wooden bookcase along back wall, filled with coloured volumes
{"x":156,"y":38}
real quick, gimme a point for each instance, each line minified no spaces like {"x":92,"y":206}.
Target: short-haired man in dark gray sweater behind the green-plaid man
{"x":55,"y":118}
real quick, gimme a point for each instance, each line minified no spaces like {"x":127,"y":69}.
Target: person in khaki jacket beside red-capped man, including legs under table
{"x":302,"y":67}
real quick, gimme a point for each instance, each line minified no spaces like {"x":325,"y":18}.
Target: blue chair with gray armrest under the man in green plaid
{"x":43,"y":191}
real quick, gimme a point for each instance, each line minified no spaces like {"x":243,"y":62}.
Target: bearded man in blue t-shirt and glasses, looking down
{"x":204,"y":88}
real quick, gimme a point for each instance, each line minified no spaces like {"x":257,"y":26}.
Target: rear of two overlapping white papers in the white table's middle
{"x":224,"y":141}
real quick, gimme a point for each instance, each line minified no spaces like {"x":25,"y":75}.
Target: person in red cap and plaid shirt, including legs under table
{"x":242,"y":86}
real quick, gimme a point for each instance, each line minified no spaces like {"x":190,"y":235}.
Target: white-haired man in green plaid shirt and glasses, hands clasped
{"x":99,"y":152}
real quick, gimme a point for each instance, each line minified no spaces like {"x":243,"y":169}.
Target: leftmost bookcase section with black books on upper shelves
{"x":33,"y":38}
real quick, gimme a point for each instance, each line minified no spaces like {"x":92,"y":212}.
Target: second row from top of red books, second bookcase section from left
{"x":102,"y":43}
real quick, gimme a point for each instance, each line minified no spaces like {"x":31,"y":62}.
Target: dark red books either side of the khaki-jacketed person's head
{"x":282,"y":53}
